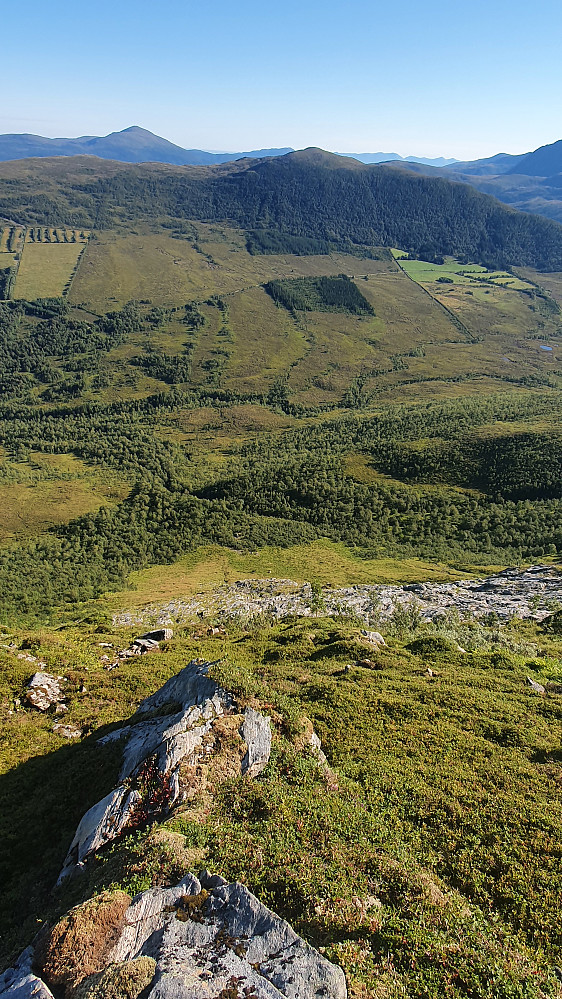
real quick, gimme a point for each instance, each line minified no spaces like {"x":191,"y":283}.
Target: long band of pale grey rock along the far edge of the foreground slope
{"x":528,"y":593}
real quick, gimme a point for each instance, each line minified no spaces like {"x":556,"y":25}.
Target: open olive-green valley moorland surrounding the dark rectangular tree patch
{"x":432,"y":324}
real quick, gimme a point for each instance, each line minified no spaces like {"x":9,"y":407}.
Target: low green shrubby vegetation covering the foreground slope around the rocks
{"x":426,"y":862}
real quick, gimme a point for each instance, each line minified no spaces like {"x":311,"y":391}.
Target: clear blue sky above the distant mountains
{"x":456,"y":78}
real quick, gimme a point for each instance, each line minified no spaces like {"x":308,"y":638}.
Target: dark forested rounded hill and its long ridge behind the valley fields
{"x":308,"y":193}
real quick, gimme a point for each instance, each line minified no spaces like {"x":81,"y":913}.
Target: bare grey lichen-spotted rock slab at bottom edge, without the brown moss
{"x":205,"y":942}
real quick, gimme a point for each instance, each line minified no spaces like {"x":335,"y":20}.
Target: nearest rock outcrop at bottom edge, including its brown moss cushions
{"x":185,"y":942}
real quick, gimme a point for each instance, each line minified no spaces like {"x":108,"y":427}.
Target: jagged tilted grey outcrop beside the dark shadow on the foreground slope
{"x":169,"y":729}
